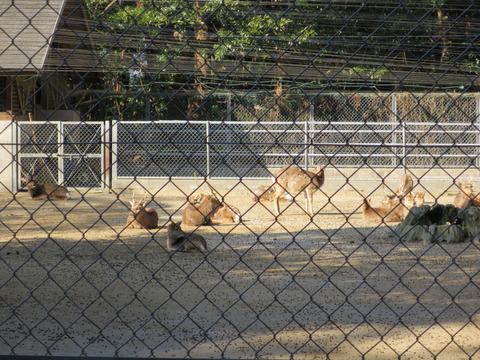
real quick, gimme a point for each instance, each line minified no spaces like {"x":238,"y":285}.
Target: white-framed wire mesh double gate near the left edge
{"x":68,"y":153}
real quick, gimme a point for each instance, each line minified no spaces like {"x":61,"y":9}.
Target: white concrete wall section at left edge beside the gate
{"x":7,"y":173}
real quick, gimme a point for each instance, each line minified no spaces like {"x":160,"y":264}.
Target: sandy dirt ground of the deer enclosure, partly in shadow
{"x":74,"y":281}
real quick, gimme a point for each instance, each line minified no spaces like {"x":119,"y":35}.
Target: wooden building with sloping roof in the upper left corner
{"x":41,"y":50}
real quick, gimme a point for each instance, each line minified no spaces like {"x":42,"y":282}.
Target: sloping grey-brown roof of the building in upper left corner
{"x":27,"y":30}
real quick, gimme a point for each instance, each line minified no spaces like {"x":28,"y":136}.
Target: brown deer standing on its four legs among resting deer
{"x":293,"y":181}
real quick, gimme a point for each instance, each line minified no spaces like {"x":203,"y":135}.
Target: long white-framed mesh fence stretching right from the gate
{"x":220,"y":149}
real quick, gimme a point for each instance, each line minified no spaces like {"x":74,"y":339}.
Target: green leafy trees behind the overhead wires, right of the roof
{"x":189,"y":44}
